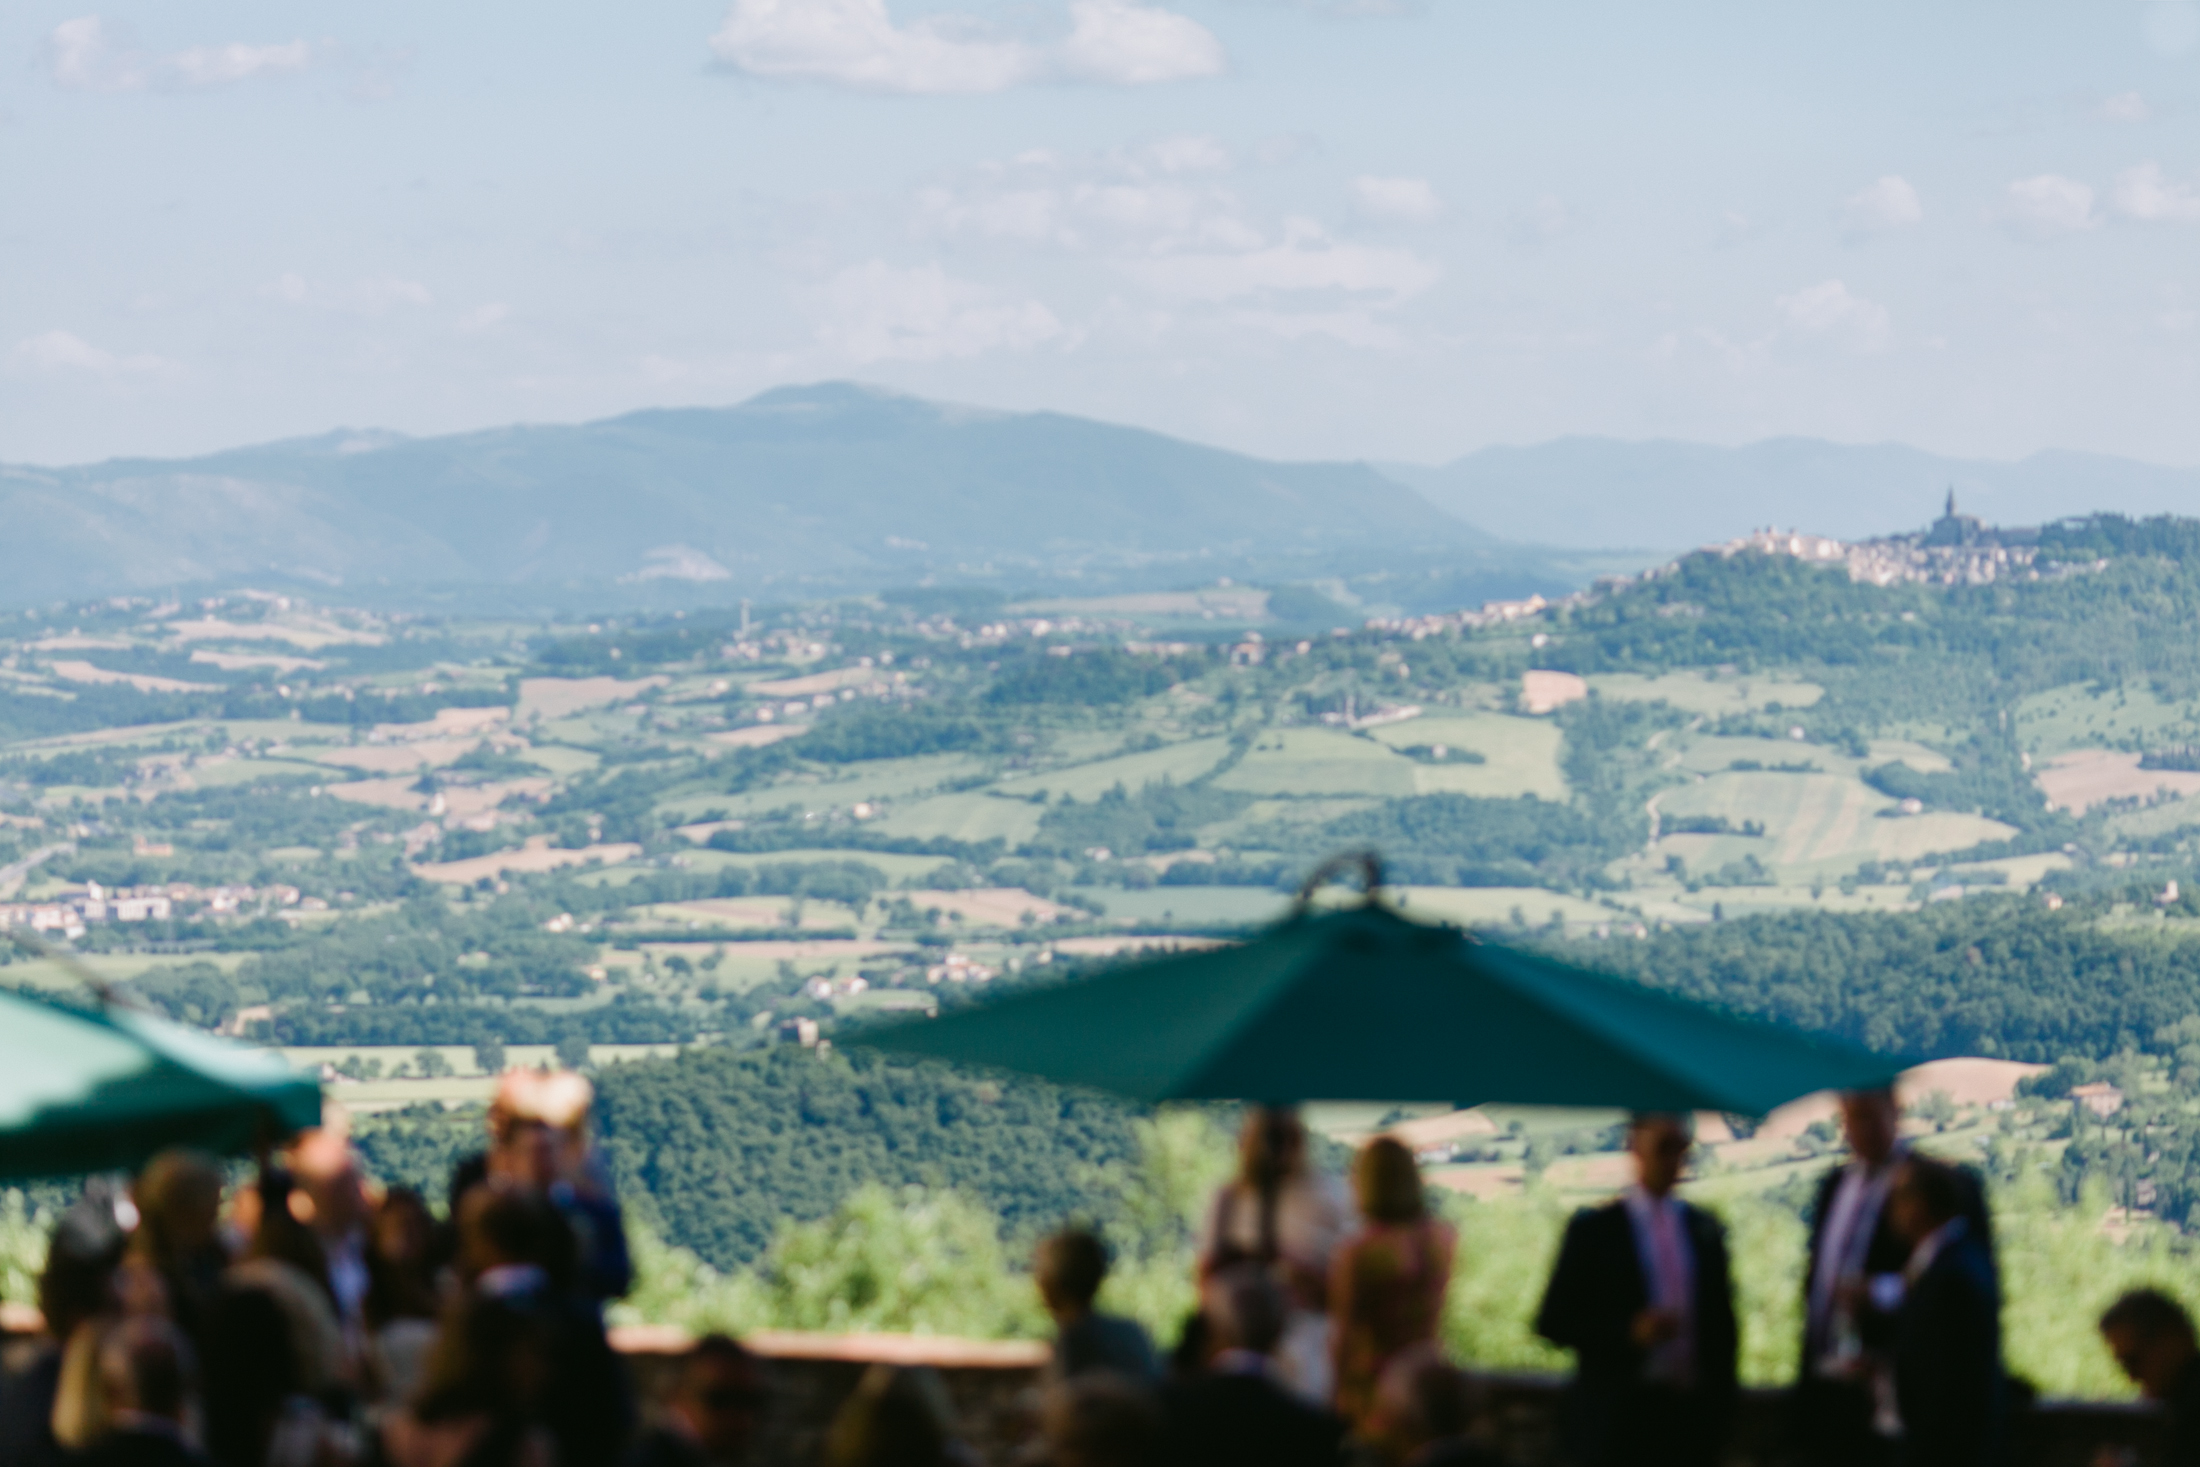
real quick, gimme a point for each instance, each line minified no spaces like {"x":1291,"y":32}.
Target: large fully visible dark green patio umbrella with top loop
{"x":1363,"y":1004}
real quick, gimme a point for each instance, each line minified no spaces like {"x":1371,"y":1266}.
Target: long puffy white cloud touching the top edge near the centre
{"x":859,"y":45}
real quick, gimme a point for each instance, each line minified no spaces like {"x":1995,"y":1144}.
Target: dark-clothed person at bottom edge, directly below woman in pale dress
{"x":1237,"y":1413}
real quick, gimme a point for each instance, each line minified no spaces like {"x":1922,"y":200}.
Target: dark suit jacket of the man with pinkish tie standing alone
{"x":1589,"y":1308}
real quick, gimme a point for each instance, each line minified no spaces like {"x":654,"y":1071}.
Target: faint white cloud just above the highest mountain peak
{"x":883,"y":313}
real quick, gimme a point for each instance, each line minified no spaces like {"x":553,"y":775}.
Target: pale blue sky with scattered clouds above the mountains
{"x":1387,"y":230}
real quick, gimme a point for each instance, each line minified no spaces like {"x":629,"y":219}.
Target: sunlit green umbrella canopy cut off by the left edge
{"x":89,"y":1092}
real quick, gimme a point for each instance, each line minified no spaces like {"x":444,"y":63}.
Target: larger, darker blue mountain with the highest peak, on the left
{"x":800,"y":492}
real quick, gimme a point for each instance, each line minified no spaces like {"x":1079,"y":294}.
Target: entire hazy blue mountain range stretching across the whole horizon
{"x":835,"y":489}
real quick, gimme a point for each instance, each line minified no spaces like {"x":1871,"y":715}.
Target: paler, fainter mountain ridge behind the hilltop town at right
{"x":1675,"y":496}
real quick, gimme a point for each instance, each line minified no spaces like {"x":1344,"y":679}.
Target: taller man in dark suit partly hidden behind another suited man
{"x":1853,"y":1292}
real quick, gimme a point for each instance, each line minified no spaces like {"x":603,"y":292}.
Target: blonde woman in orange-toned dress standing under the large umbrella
{"x":1389,"y":1279}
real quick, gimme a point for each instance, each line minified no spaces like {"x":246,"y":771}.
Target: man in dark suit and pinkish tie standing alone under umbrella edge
{"x":1642,"y":1297}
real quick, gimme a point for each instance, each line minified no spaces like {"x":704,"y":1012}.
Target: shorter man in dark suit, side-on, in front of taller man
{"x":1948,"y":1341}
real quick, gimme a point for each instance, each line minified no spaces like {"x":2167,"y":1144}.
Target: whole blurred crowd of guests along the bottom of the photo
{"x":307,"y":1319}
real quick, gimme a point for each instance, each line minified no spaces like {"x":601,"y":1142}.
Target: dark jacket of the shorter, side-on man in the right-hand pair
{"x":1948,"y":1360}
